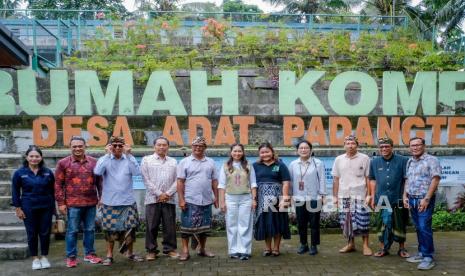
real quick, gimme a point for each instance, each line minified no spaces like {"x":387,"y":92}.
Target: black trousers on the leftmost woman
{"x":38,"y":223}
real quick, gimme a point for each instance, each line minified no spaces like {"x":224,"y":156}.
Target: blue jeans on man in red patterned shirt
{"x":76,"y":215}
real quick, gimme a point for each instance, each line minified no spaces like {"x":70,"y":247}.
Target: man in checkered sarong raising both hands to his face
{"x":119,"y":209}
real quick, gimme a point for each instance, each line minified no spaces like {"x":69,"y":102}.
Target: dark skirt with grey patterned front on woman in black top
{"x":268,"y":220}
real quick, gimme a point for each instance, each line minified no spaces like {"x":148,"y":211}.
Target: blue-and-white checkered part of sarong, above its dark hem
{"x":119,"y":218}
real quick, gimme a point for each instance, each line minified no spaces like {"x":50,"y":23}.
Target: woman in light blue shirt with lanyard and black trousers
{"x":308,"y":189}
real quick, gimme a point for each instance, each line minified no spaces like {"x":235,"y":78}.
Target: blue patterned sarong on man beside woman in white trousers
{"x":196,"y":219}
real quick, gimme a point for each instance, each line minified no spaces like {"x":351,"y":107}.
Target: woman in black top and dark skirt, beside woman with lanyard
{"x":273,"y":180}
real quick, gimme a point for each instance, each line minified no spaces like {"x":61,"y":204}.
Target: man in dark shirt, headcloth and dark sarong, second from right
{"x":387,"y":178}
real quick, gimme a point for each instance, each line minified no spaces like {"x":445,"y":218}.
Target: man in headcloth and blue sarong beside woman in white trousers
{"x":197,"y":188}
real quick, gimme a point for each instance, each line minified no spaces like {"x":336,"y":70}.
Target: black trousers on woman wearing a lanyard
{"x":308,"y":214}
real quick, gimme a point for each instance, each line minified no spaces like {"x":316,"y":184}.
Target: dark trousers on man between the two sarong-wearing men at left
{"x":164,"y":214}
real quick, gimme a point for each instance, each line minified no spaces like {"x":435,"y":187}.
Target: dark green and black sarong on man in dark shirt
{"x":391,"y":225}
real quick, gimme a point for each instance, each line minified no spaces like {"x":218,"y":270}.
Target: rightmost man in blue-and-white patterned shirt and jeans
{"x":423,"y":175}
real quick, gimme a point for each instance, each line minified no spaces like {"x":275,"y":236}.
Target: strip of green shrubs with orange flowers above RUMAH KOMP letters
{"x":159,"y":45}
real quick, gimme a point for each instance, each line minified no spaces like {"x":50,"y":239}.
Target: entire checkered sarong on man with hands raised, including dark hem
{"x":118,"y":220}
